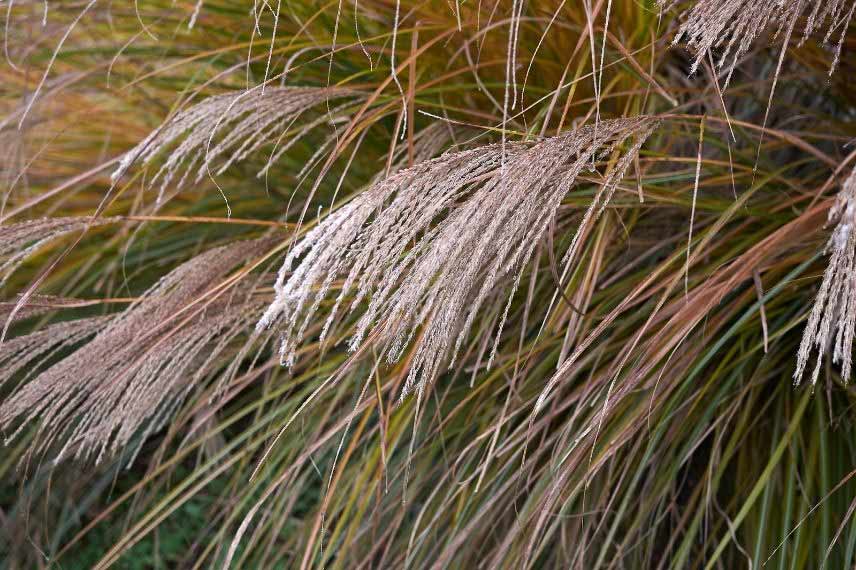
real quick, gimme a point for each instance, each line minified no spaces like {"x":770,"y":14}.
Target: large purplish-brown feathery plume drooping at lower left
{"x":148,"y":359}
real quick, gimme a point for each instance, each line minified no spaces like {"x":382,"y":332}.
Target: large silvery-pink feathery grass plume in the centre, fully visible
{"x":426,"y":247}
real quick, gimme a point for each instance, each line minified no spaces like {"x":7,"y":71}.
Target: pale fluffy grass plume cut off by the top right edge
{"x":728,"y":27}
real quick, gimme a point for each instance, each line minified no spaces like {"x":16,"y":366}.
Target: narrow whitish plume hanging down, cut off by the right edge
{"x":833,"y":316}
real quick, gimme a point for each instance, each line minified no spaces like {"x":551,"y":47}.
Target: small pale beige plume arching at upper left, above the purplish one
{"x":222,"y":130}
